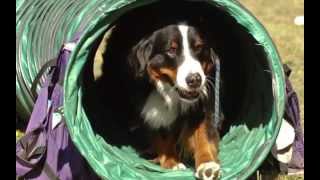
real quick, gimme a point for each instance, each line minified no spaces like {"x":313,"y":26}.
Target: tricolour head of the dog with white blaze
{"x":176,"y":58}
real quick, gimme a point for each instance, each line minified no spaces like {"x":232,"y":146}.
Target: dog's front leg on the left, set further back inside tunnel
{"x":165,"y":148}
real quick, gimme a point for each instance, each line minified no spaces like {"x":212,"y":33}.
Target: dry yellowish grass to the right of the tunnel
{"x":278,"y":18}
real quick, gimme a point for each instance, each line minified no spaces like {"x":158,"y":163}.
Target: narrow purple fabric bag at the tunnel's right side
{"x":292,"y":115}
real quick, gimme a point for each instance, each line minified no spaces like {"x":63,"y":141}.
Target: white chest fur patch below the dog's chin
{"x":157,"y":112}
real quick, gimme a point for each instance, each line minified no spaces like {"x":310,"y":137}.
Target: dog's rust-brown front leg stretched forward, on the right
{"x":202,"y":141}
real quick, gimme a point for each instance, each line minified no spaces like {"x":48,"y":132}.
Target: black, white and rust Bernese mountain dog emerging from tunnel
{"x":178,"y":63}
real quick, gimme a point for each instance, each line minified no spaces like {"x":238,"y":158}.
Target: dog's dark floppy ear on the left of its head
{"x":139,"y":57}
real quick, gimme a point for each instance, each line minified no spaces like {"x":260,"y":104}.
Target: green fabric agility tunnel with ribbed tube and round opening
{"x":254,"y":95}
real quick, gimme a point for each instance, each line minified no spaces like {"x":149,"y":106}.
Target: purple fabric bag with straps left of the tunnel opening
{"x":46,"y":151}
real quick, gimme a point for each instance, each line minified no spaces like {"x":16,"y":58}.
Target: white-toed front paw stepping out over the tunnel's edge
{"x":208,"y":171}
